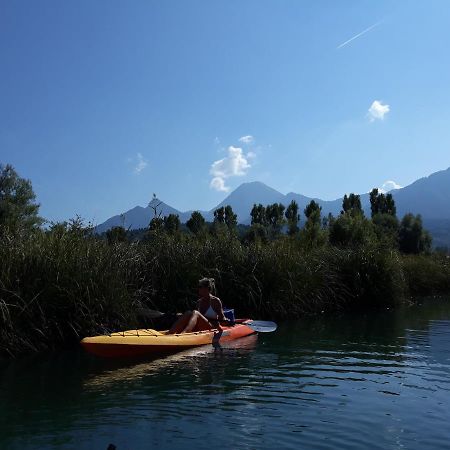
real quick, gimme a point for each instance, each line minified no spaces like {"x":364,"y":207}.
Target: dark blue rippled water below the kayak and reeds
{"x":377,"y":381}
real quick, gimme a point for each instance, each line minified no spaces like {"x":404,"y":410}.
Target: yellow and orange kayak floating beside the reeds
{"x":142,"y":342}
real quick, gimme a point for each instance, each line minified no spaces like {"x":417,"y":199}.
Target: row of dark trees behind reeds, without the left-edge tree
{"x":275,"y":221}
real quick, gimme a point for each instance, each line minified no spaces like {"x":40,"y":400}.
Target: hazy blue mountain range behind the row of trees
{"x":428,"y":196}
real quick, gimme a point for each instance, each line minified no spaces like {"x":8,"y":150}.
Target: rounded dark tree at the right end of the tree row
{"x":413,"y":238}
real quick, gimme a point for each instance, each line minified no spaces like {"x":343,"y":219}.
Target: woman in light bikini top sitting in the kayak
{"x":209,"y":313}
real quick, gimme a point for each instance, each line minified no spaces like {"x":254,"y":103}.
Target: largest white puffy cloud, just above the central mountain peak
{"x":234,"y":165}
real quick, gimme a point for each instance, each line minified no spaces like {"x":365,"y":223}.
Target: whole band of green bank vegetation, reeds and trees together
{"x":61,"y":283}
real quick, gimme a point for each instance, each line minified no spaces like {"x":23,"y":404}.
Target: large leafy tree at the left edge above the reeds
{"x":18,"y":209}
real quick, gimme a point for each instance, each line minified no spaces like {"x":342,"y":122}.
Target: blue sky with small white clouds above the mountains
{"x":103,"y":103}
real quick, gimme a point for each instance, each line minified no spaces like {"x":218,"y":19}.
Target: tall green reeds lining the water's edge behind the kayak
{"x":57,"y":287}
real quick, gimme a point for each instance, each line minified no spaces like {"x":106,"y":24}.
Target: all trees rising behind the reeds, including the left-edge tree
{"x":19,"y":211}
